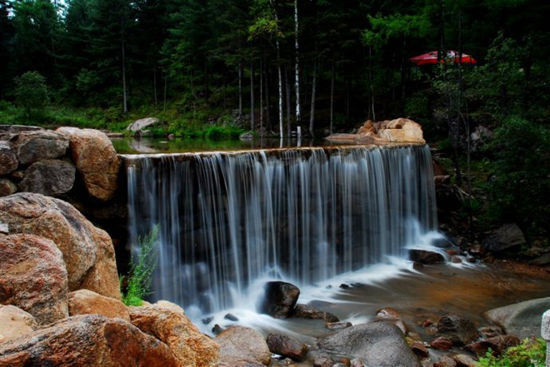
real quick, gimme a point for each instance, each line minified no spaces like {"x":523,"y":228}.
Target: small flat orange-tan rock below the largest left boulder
{"x":84,"y":301}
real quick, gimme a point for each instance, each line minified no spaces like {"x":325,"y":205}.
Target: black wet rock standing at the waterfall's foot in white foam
{"x":280,"y":299}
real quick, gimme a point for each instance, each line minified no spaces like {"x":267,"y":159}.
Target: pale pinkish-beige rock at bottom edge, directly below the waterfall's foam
{"x":238,"y":344}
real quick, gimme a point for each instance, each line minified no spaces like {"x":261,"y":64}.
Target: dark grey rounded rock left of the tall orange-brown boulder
{"x":49,"y":177}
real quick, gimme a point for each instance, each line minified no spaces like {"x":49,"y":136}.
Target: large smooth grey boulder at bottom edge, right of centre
{"x":379,"y":343}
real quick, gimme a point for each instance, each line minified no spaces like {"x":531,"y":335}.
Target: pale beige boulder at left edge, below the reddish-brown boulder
{"x":14,"y":322}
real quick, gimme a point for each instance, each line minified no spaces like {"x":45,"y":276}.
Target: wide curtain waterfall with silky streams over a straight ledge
{"x":228,"y":218}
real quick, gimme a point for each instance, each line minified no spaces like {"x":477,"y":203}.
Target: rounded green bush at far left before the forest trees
{"x":31,"y":93}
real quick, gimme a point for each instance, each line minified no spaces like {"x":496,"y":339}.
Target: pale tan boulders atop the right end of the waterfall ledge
{"x":400,"y":130}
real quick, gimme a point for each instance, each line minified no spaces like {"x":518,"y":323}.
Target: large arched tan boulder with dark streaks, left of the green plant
{"x":87,"y":251}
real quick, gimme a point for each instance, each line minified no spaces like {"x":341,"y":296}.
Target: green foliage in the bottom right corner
{"x":530,"y":353}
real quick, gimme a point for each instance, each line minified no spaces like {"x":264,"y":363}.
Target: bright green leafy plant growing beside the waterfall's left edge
{"x":142,"y":267}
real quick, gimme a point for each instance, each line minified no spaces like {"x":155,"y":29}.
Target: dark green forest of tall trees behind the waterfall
{"x":271,"y":65}
